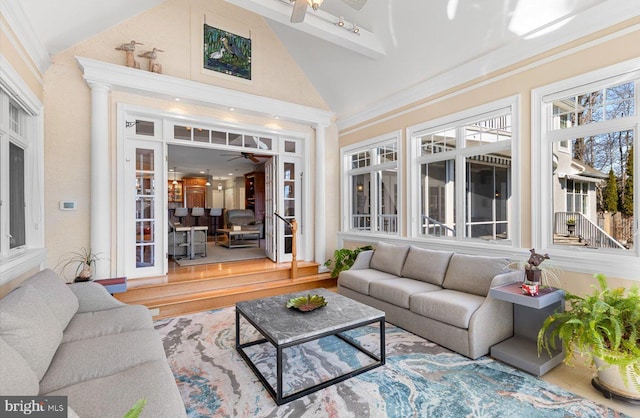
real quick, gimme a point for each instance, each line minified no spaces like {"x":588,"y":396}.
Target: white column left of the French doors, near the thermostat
{"x":100,"y":179}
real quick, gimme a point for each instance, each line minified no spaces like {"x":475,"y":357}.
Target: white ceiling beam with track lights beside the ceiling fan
{"x":320,"y":24}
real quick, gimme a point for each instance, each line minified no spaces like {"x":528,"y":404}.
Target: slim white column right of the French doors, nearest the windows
{"x":320,"y":186}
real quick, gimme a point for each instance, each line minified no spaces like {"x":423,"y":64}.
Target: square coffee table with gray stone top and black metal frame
{"x":285,"y":328}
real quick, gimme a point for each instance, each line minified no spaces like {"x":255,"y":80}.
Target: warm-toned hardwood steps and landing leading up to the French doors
{"x":198,"y":288}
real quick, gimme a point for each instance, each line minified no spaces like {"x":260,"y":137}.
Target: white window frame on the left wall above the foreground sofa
{"x":18,"y":261}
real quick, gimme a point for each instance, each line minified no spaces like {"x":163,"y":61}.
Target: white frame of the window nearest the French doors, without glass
{"x":347,"y":172}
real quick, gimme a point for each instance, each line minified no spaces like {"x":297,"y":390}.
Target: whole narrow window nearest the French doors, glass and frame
{"x":372,"y":186}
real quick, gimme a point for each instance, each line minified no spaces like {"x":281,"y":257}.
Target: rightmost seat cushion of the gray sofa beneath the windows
{"x":448,"y":306}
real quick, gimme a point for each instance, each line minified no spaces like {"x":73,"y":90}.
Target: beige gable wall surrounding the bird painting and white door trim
{"x":174,"y":26}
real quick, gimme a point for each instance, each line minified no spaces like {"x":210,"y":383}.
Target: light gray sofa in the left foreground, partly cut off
{"x":78,"y":341}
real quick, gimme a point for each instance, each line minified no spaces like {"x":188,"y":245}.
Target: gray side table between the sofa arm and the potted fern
{"x":529,"y":313}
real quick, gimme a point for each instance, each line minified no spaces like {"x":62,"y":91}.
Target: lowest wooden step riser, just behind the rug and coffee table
{"x":190,"y":306}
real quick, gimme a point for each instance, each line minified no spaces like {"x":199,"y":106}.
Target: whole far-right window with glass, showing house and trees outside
{"x":585,"y":131}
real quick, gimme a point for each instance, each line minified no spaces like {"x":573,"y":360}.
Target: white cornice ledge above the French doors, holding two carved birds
{"x":121,"y":78}
